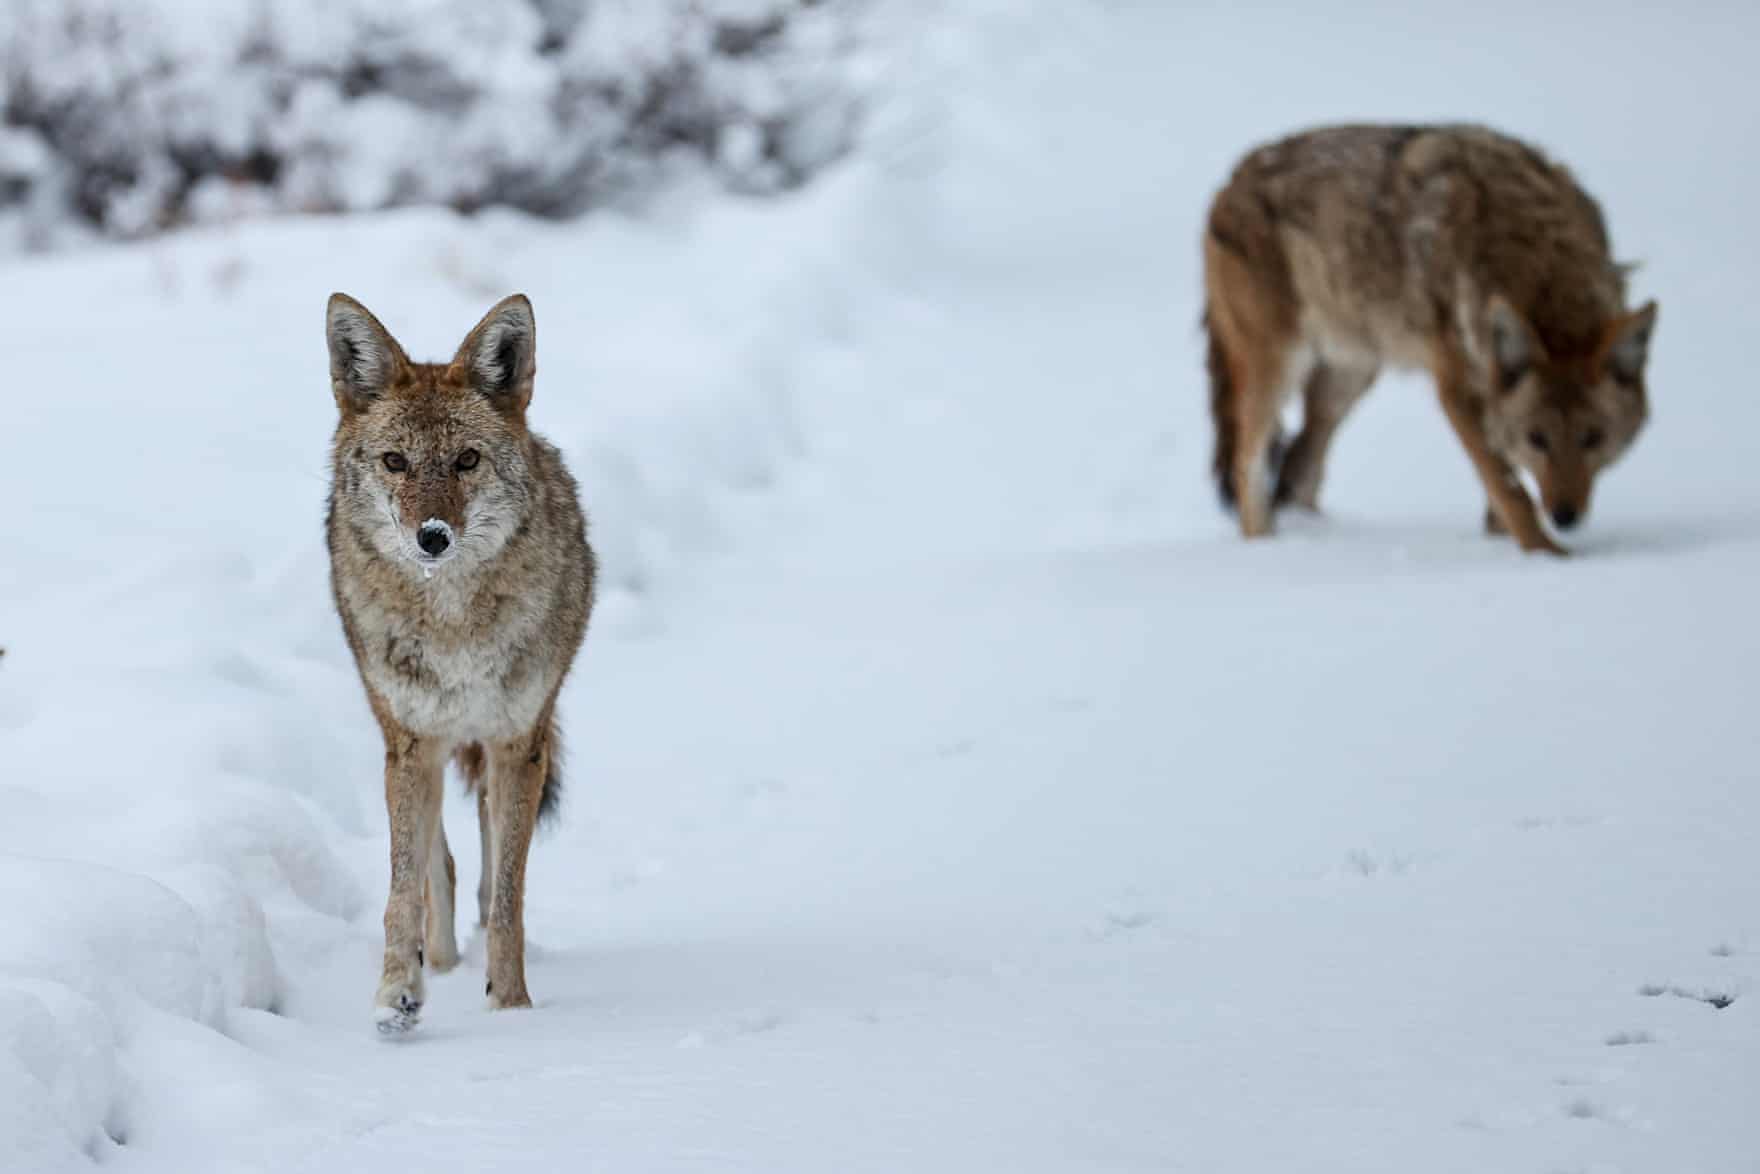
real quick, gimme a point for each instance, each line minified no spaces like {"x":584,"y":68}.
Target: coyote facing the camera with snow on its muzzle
{"x":464,"y":582}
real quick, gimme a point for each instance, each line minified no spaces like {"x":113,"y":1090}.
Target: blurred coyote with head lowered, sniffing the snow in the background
{"x":1455,"y":249}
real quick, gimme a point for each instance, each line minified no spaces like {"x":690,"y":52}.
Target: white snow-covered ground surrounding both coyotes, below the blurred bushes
{"x":950,"y":788}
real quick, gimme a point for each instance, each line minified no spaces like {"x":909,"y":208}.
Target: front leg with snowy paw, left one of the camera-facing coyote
{"x":413,"y":802}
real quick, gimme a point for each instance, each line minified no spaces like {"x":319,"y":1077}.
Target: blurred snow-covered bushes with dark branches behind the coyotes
{"x":124,"y":117}
